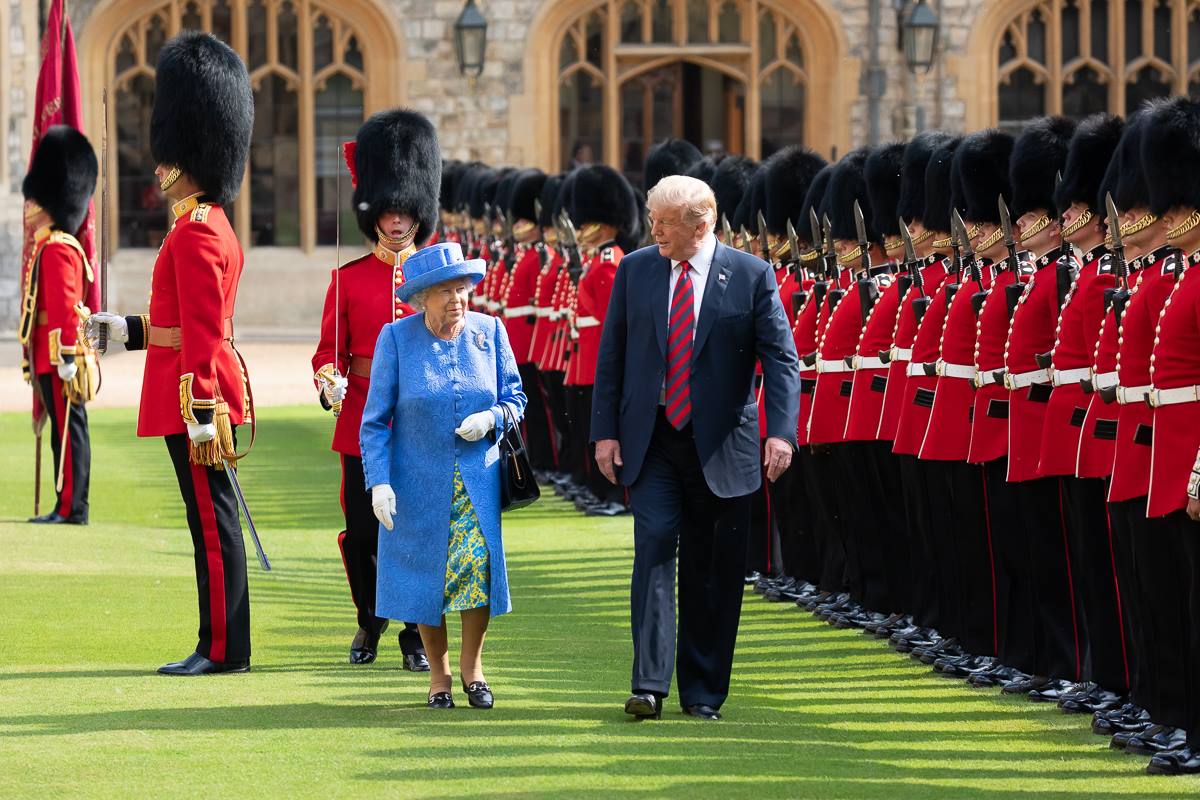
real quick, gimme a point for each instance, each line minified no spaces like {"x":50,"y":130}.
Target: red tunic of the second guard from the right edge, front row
{"x":1136,"y":420}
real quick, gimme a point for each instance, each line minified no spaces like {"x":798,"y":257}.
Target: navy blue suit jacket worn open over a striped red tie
{"x":741,"y":322}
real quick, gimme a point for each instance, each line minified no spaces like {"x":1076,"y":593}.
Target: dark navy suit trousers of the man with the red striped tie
{"x":676,"y":513}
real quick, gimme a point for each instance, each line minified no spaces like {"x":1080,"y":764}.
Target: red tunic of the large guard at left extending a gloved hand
{"x":194,"y":288}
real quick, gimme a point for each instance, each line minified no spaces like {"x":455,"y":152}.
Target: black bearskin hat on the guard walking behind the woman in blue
{"x":400,"y":167}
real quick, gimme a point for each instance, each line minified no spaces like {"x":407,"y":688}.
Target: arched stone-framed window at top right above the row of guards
{"x":1082,"y":57}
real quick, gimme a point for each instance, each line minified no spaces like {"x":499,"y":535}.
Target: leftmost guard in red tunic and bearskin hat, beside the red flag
{"x":61,"y":366}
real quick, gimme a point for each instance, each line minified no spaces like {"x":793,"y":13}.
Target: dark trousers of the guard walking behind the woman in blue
{"x":359,"y":545}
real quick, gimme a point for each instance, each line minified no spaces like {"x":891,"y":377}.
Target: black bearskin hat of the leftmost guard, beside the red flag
{"x":63,"y":177}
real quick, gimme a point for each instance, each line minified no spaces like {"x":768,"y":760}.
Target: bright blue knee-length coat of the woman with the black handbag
{"x":422,"y":389}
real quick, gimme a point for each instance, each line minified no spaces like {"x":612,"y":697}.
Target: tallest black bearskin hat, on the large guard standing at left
{"x":203,"y":113}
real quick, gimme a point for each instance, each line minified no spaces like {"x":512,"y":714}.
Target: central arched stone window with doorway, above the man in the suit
{"x":730,"y":76}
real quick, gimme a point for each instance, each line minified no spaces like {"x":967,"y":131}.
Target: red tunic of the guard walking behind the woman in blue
{"x":361,"y":300}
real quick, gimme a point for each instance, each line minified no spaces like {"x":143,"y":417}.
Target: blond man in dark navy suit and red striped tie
{"x":675,"y":419}
